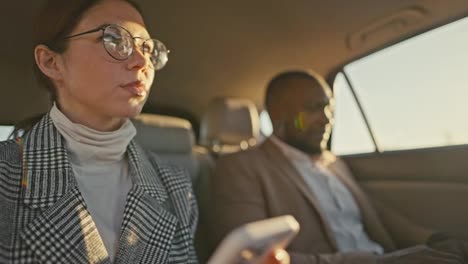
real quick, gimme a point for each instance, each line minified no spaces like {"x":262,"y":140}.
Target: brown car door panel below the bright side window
{"x":428,"y":186}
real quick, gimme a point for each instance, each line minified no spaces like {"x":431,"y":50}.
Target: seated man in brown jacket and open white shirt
{"x":291,"y":173}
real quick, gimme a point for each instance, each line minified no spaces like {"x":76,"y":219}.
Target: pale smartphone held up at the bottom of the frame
{"x":252,"y":242}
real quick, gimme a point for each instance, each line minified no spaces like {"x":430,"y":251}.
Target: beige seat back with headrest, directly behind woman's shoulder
{"x":172,"y":139}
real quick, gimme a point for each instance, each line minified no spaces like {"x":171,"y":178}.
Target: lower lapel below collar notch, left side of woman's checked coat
{"x":65,"y":233}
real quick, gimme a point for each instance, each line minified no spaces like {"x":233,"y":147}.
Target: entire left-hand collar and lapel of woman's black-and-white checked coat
{"x":61,"y":229}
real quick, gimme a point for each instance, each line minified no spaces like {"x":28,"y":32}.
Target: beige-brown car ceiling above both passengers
{"x":231,"y":48}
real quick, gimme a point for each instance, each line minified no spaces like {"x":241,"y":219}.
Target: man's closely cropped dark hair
{"x":278,"y":83}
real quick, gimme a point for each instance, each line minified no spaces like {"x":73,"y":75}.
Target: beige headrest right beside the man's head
{"x":230,"y":122}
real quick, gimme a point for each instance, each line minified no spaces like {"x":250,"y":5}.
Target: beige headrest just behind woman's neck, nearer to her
{"x":164,"y":134}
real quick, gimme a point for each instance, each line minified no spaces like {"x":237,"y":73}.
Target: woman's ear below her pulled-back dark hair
{"x":48,"y":62}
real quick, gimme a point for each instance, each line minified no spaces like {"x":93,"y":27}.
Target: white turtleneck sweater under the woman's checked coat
{"x":101,"y":170}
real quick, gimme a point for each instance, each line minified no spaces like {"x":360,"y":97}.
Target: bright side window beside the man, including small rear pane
{"x":412,"y":94}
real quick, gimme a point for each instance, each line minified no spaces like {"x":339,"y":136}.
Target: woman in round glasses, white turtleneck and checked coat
{"x":75,"y":188}
